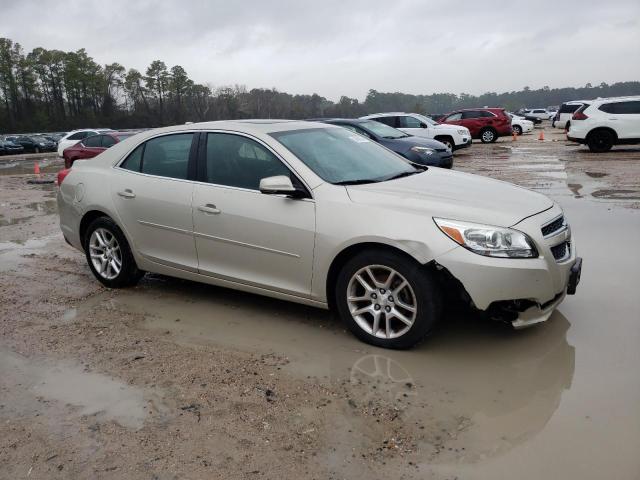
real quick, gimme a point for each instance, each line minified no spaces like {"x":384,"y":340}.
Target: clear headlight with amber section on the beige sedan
{"x":488,"y":240}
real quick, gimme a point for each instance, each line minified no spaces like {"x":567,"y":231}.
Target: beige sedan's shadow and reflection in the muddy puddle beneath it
{"x":493,"y":387}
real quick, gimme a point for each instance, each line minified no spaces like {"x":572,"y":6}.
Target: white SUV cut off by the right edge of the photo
{"x":605,"y":122}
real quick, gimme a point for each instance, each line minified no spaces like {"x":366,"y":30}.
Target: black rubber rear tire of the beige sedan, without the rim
{"x":129,"y":273}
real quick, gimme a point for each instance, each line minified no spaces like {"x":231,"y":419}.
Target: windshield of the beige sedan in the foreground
{"x":339,"y":156}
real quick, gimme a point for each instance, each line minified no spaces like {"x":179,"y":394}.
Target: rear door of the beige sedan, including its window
{"x":152,"y":191}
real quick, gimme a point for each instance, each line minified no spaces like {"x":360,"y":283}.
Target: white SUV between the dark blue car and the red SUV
{"x":453,"y":136}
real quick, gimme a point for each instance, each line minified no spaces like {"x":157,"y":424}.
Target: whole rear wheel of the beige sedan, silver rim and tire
{"x":109,"y":255}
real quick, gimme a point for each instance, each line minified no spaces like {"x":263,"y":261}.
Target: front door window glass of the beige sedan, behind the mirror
{"x":238,"y":161}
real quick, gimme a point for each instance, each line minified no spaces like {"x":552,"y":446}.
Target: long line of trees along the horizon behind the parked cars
{"x":52,"y":90}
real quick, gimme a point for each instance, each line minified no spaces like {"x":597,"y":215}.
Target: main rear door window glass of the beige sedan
{"x":167,"y":156}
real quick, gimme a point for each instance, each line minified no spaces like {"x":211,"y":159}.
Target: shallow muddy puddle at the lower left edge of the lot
{"x":25,"y":384}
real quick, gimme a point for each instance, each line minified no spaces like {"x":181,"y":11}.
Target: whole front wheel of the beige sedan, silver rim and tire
{"x":388,"y":300}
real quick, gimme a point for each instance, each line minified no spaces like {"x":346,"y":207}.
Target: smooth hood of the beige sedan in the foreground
{"x":454,"y":195}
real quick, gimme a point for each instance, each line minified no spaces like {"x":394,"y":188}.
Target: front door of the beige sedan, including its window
{"x":243,"y":235}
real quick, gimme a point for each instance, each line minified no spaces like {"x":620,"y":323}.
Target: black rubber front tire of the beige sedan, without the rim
{"x":424,"y":285}
